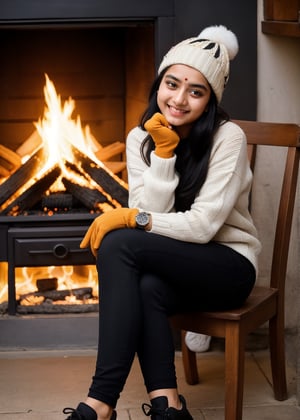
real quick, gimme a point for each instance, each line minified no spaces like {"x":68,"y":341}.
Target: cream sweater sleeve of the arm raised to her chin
{"x":151,"y":187}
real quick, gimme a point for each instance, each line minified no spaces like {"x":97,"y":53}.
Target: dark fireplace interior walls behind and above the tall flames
{"x":106,"y":69}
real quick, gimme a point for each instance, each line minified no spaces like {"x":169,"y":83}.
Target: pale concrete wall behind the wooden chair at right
{"x":278,"y":93}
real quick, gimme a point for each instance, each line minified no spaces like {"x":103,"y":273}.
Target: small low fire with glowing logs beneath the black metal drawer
{"x":53,"y":289}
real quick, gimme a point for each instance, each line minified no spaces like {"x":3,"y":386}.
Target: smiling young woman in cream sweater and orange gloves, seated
{"x":186,"y":242}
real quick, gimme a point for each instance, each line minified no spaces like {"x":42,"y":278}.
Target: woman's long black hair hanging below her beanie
{"x":192,"y":154}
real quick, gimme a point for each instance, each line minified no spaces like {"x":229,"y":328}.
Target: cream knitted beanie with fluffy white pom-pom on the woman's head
{"x":209,"y":52}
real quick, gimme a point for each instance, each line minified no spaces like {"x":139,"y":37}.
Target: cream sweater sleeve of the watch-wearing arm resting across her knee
{"x":222,"y":203}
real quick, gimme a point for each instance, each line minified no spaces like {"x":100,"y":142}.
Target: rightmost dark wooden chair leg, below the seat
{"x":277,"y":354}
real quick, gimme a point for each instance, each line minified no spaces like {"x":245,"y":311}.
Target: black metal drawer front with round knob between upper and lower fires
{"x":33,"y":241}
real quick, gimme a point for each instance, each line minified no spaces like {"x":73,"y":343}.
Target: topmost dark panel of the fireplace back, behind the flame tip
{"x":74,"y":60}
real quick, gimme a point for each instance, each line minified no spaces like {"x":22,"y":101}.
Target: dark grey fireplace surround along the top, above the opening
{"x":16,"y":14}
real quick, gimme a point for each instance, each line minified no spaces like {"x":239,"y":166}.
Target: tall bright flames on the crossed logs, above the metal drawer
{"x":61,"y":137}
